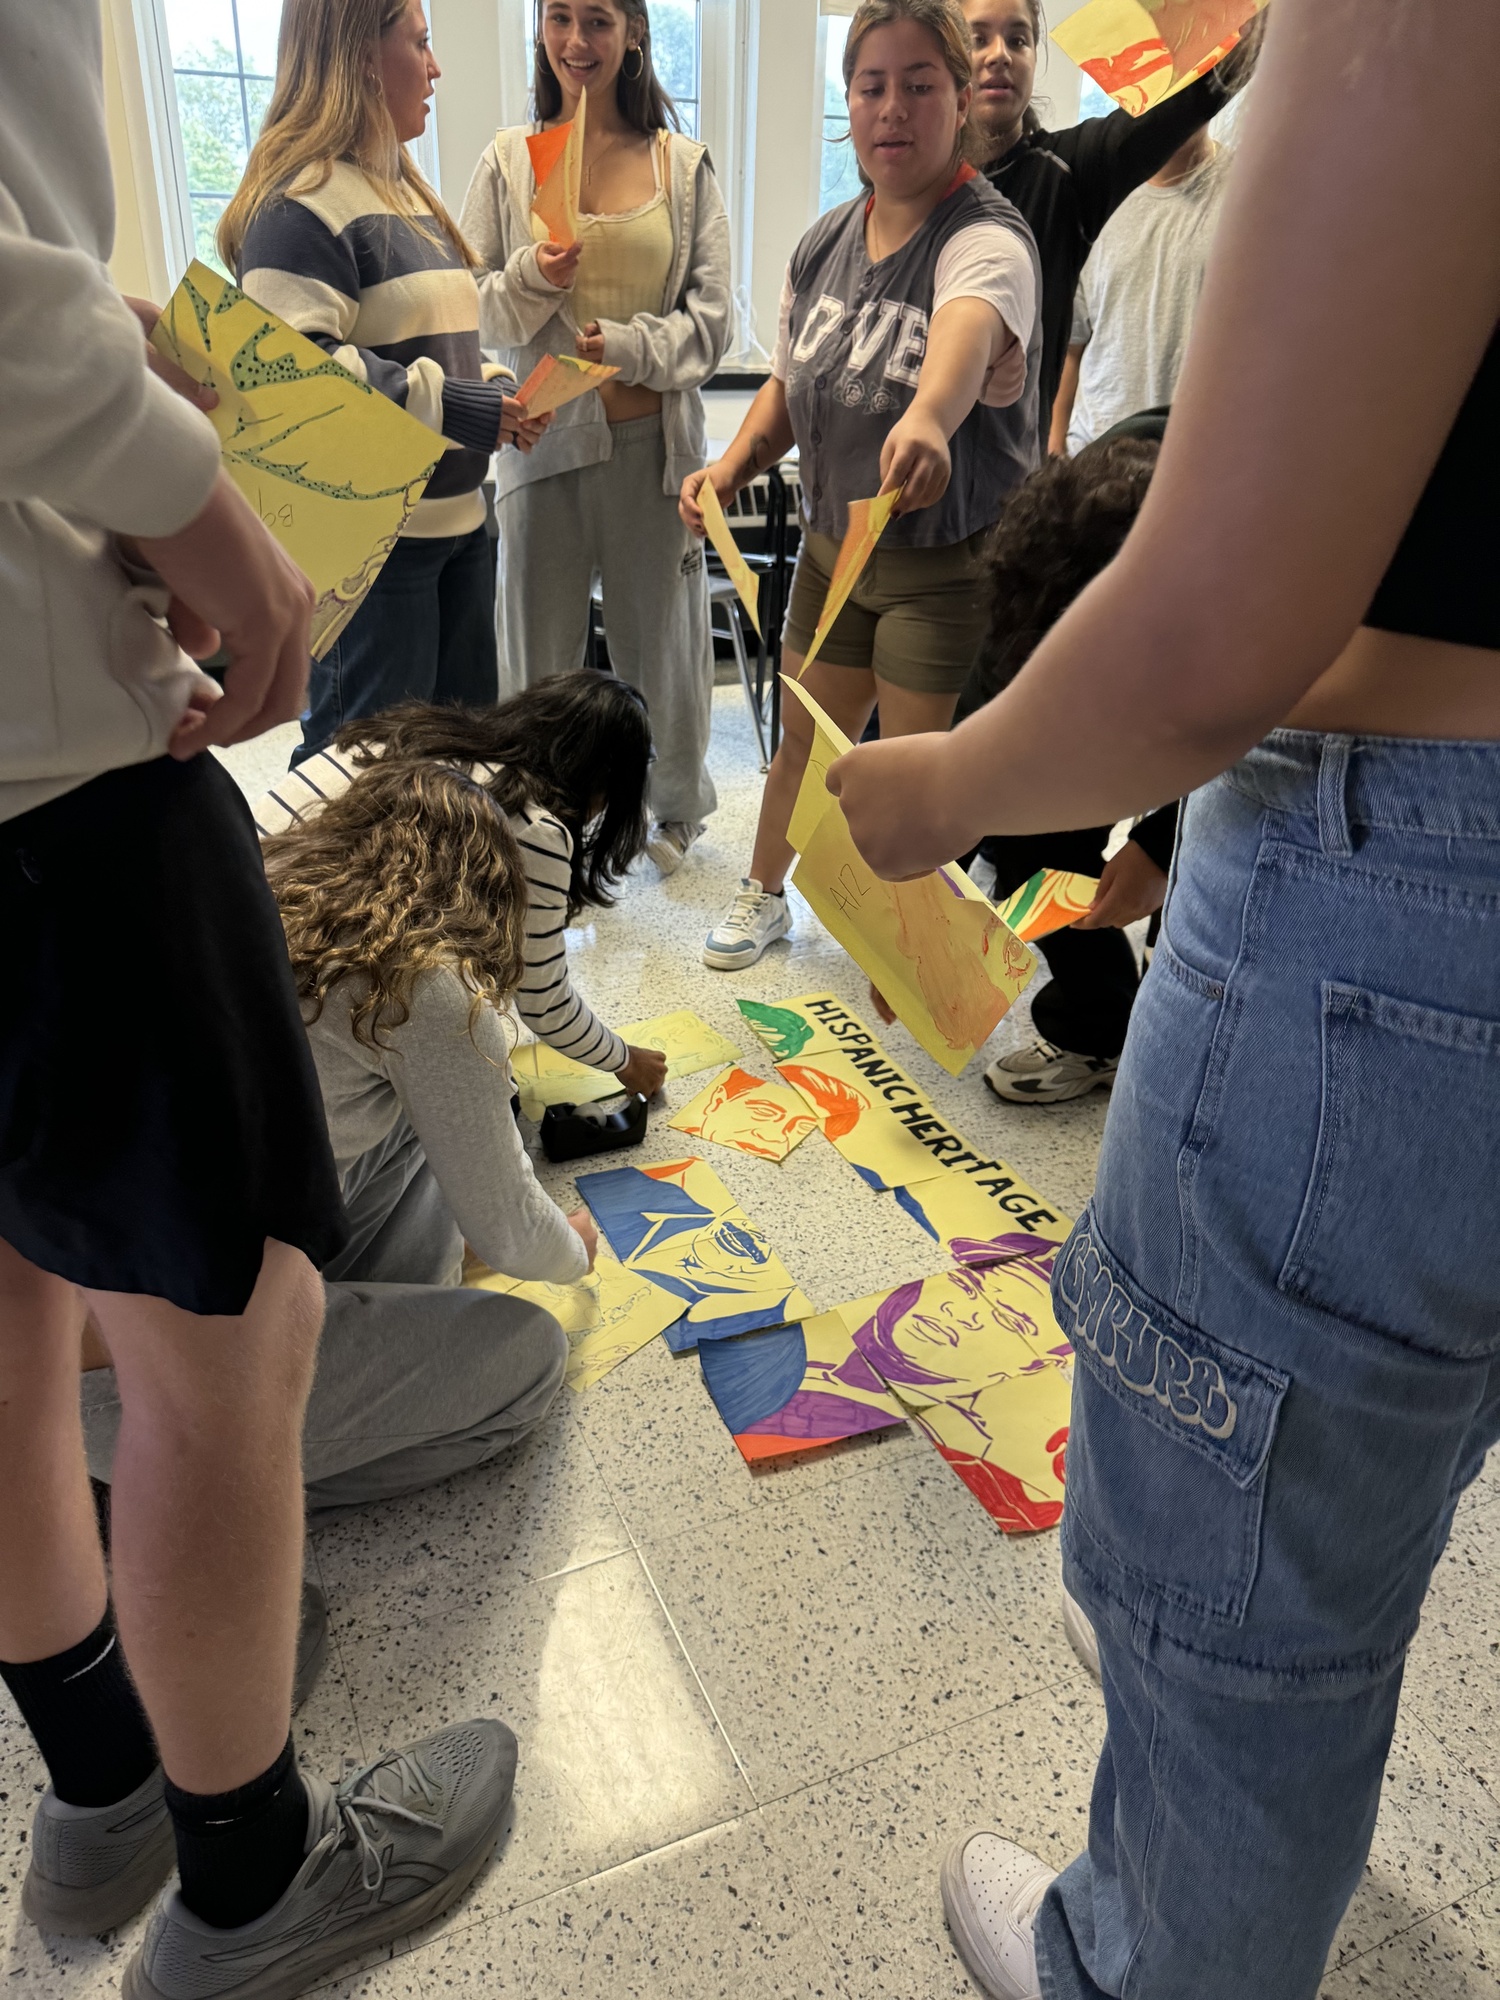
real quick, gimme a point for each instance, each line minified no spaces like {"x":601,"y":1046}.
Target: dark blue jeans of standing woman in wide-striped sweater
{"x":423,"y":635}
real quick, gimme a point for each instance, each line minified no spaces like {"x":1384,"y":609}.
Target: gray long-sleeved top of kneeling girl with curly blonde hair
{"x":455,"y":1091}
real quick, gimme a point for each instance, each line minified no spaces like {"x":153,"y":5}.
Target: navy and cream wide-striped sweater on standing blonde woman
{"x":399,"y":309}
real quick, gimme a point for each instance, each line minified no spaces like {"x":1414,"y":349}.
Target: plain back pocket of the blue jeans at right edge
{"x":1399,"y":1223}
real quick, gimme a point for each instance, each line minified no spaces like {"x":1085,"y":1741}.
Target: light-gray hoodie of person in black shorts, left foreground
{"x":91,"y":443}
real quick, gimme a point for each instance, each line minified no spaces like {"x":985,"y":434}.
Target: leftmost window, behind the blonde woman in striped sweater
{"x":223,"y":69}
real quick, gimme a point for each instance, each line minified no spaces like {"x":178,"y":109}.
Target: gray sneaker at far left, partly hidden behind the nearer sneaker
{"x":93,"y":1867}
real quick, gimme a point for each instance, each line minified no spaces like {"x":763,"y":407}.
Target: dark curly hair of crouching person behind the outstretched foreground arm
{"x":1055,"y":537}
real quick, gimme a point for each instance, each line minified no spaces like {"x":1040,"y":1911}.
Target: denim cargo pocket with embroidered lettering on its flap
{"x":1169,"y":1445}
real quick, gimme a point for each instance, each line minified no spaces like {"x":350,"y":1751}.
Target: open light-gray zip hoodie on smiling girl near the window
{"x":523,"y":317}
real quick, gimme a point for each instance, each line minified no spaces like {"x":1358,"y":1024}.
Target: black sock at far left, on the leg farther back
{"x":87,"y":1719}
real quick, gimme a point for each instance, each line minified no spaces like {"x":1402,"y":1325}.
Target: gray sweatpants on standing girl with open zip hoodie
{"x":615,"y":525}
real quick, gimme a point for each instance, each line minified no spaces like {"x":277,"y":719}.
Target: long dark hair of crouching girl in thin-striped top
{"x":577,"y":745}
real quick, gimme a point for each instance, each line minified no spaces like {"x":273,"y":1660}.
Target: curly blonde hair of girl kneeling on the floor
{"x":409,"y":871}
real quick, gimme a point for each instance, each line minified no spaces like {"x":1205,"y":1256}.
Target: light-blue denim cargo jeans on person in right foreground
{"x":1285,"y":1305}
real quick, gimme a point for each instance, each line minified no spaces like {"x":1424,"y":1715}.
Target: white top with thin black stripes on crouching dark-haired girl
{"x":545,"y":999}
